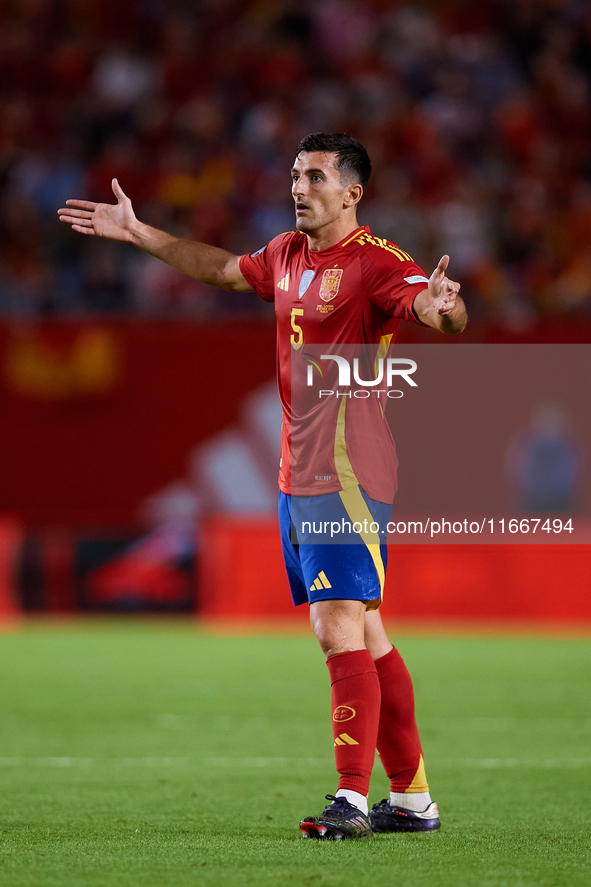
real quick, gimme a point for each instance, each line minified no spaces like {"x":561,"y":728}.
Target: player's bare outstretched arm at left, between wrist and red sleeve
{"x":199,"y":260}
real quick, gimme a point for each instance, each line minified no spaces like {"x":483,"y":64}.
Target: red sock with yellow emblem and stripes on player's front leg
{"x":355,"y":716}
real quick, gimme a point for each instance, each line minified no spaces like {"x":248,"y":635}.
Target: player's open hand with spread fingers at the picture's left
{"x":101,"y":219}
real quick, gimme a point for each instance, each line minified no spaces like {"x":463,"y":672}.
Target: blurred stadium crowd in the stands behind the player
{"x":477,"y":116}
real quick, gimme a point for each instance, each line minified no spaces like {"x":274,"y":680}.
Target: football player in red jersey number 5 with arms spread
{"x":334,"y":282}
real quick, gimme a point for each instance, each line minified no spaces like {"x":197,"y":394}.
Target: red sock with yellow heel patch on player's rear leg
{"x":398,"y":742}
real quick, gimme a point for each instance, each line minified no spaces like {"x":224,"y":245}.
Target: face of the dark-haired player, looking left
{"x":317,"y":190}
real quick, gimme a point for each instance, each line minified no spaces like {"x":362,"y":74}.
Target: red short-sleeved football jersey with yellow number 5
{"x":353,"y":294}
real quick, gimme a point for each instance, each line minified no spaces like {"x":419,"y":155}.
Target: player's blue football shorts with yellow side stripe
{"x":334,"y":546}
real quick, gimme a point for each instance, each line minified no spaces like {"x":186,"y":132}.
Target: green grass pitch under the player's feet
{"x":148,"y":754}
